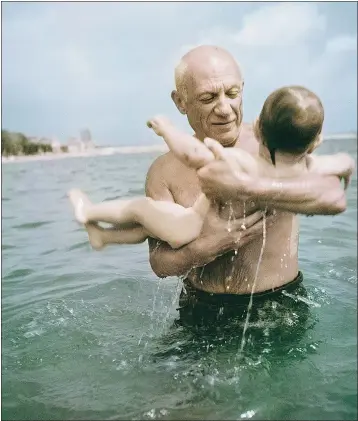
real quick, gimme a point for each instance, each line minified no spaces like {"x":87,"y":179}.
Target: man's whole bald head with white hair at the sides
{"x":209,"y":92}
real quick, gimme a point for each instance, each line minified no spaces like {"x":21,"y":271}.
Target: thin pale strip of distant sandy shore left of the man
{"x":91,"y":152}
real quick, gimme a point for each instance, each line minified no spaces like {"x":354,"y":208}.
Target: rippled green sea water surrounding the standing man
{"x":91,"y":335}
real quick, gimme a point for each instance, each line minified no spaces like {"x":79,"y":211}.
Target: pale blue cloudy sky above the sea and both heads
{"x":110,"y":66}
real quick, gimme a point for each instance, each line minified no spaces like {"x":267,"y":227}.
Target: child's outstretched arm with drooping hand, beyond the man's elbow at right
{"x":340,"y":164}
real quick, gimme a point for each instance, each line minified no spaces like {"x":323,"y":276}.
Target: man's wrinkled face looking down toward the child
{"x":214,"y":102}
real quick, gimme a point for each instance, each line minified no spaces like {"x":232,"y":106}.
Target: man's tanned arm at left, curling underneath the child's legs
{"x":214,"y":240}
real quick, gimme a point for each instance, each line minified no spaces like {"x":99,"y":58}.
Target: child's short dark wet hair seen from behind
{"x":290,"y":120}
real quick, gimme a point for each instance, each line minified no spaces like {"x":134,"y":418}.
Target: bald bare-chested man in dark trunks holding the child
{"x":220,"y":266}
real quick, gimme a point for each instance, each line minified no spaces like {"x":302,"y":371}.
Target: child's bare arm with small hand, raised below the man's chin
{"x":186,"y":148}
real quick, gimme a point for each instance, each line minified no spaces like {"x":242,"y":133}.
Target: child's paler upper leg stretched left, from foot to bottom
{"x":167,"y":221}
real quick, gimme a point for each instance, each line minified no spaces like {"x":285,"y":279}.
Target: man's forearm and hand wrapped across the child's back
{"x":310,"y":194}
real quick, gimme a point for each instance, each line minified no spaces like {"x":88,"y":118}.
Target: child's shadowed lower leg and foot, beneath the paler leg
{"x":100,"y":237}
